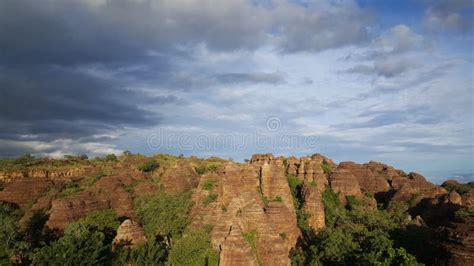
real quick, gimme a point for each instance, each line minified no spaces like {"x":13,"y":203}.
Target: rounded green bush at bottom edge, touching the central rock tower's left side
{"x":193,"y":249}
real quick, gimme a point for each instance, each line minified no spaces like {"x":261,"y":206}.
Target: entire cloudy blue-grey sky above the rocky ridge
{"x":388,"y":81}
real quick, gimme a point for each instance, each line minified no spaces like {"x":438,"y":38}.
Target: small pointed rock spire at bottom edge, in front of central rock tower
{"x":235,"y":251}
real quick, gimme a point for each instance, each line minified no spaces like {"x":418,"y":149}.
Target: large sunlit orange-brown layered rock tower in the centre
{"x":241,"y":194}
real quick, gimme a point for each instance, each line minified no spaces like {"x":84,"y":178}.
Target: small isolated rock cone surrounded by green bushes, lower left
{"x":129,"y":234}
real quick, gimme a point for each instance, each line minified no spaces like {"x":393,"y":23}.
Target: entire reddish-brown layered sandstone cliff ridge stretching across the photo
{"x":249,"y":206}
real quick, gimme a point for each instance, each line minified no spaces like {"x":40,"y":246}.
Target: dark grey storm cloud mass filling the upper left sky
{"x":76,"y":69}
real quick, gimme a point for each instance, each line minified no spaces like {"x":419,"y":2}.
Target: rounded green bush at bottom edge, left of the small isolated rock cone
{"x":80,"y":245}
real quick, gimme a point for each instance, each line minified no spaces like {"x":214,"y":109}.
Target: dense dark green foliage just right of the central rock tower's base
{"x":355,"y":234}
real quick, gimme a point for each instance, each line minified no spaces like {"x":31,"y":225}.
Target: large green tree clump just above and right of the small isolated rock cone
{"x":164,"y":214}
